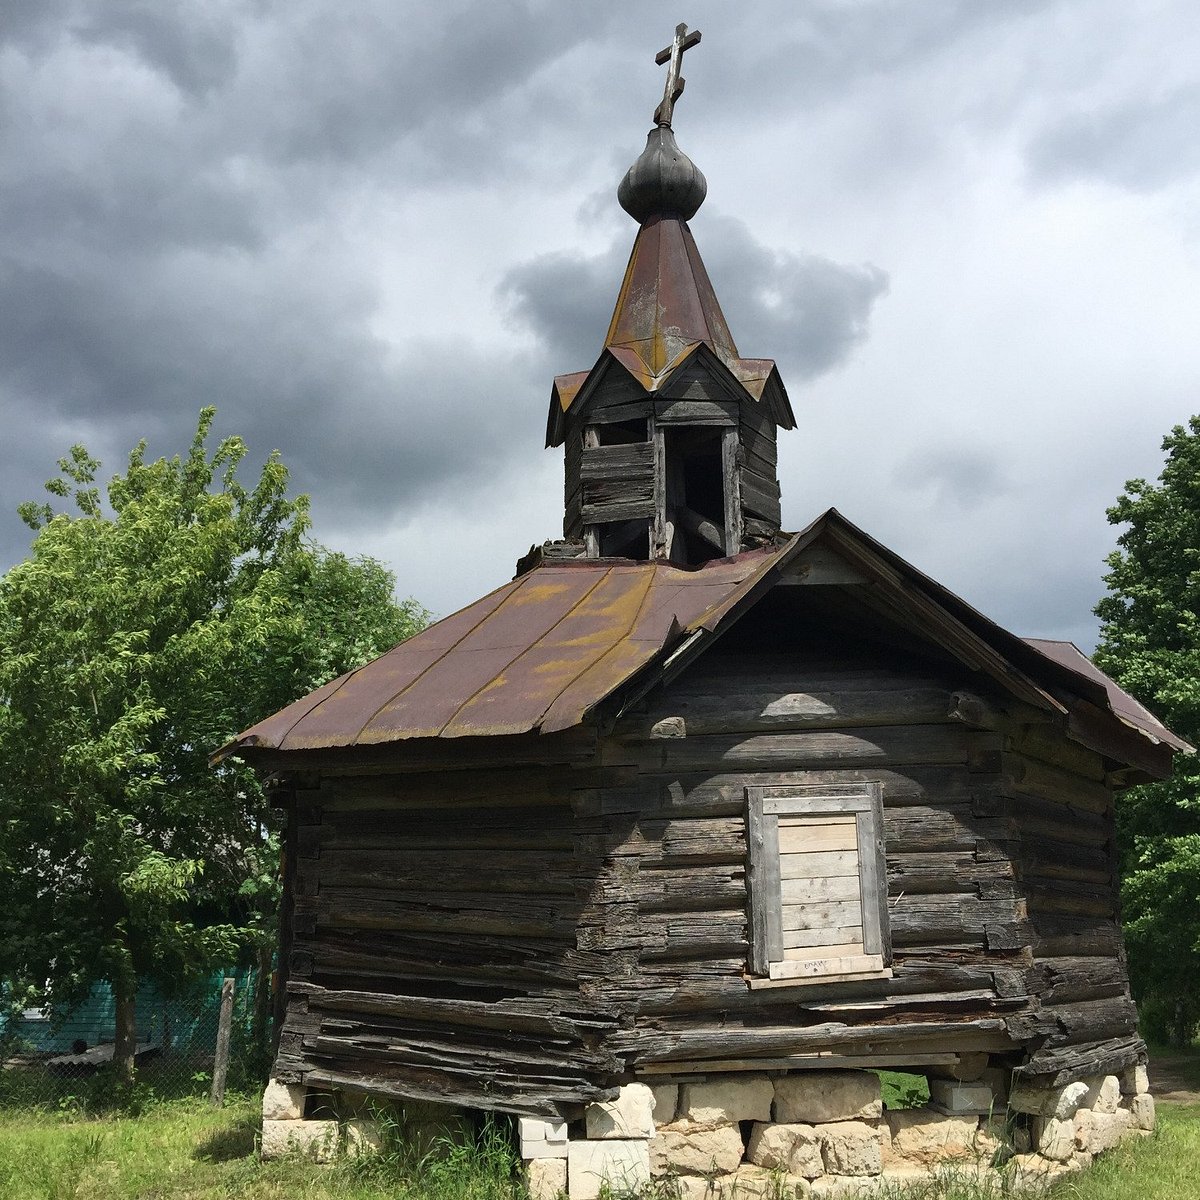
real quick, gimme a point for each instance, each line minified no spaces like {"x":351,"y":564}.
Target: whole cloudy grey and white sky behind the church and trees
{"x":371,"y":235}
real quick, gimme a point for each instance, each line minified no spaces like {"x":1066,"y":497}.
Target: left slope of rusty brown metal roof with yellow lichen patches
{"x":536,"y":655}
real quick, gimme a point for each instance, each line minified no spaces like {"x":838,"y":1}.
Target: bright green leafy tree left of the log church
{"x":136,"y":639}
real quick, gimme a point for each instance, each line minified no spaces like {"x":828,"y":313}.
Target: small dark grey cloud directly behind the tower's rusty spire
{"x":806,"y":311}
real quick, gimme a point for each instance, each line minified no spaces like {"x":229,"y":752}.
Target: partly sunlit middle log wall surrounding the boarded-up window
{"x":677,"y":843}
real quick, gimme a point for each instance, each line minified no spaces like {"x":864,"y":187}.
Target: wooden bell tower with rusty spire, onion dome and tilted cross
{"x":670,"y":439}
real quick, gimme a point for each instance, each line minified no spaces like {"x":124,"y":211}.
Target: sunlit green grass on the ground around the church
{"x":183,"y":1150}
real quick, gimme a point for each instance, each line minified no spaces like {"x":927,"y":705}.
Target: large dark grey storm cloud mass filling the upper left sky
{"x":155,"y":164}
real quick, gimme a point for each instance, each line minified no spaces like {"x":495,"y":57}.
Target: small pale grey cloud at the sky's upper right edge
{"x":1141,"y":146}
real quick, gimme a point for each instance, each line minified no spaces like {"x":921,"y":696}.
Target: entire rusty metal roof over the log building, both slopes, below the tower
{"x":544,"y":651}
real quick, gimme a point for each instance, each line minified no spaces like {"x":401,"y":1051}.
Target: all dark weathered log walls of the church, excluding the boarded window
{"x":529,"y":938}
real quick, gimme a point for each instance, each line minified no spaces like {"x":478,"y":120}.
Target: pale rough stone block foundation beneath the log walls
{"x":812,"y":1133}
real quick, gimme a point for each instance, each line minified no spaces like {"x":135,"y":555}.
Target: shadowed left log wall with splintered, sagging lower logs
{"x":434,"y":945}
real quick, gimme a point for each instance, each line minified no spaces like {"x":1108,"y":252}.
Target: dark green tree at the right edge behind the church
{"x":1150,"y":644}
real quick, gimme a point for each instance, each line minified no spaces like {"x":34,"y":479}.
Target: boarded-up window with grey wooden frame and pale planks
{"x":818,"y":881}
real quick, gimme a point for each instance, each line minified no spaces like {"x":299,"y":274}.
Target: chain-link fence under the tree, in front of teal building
{"x":67,"y":1058}
